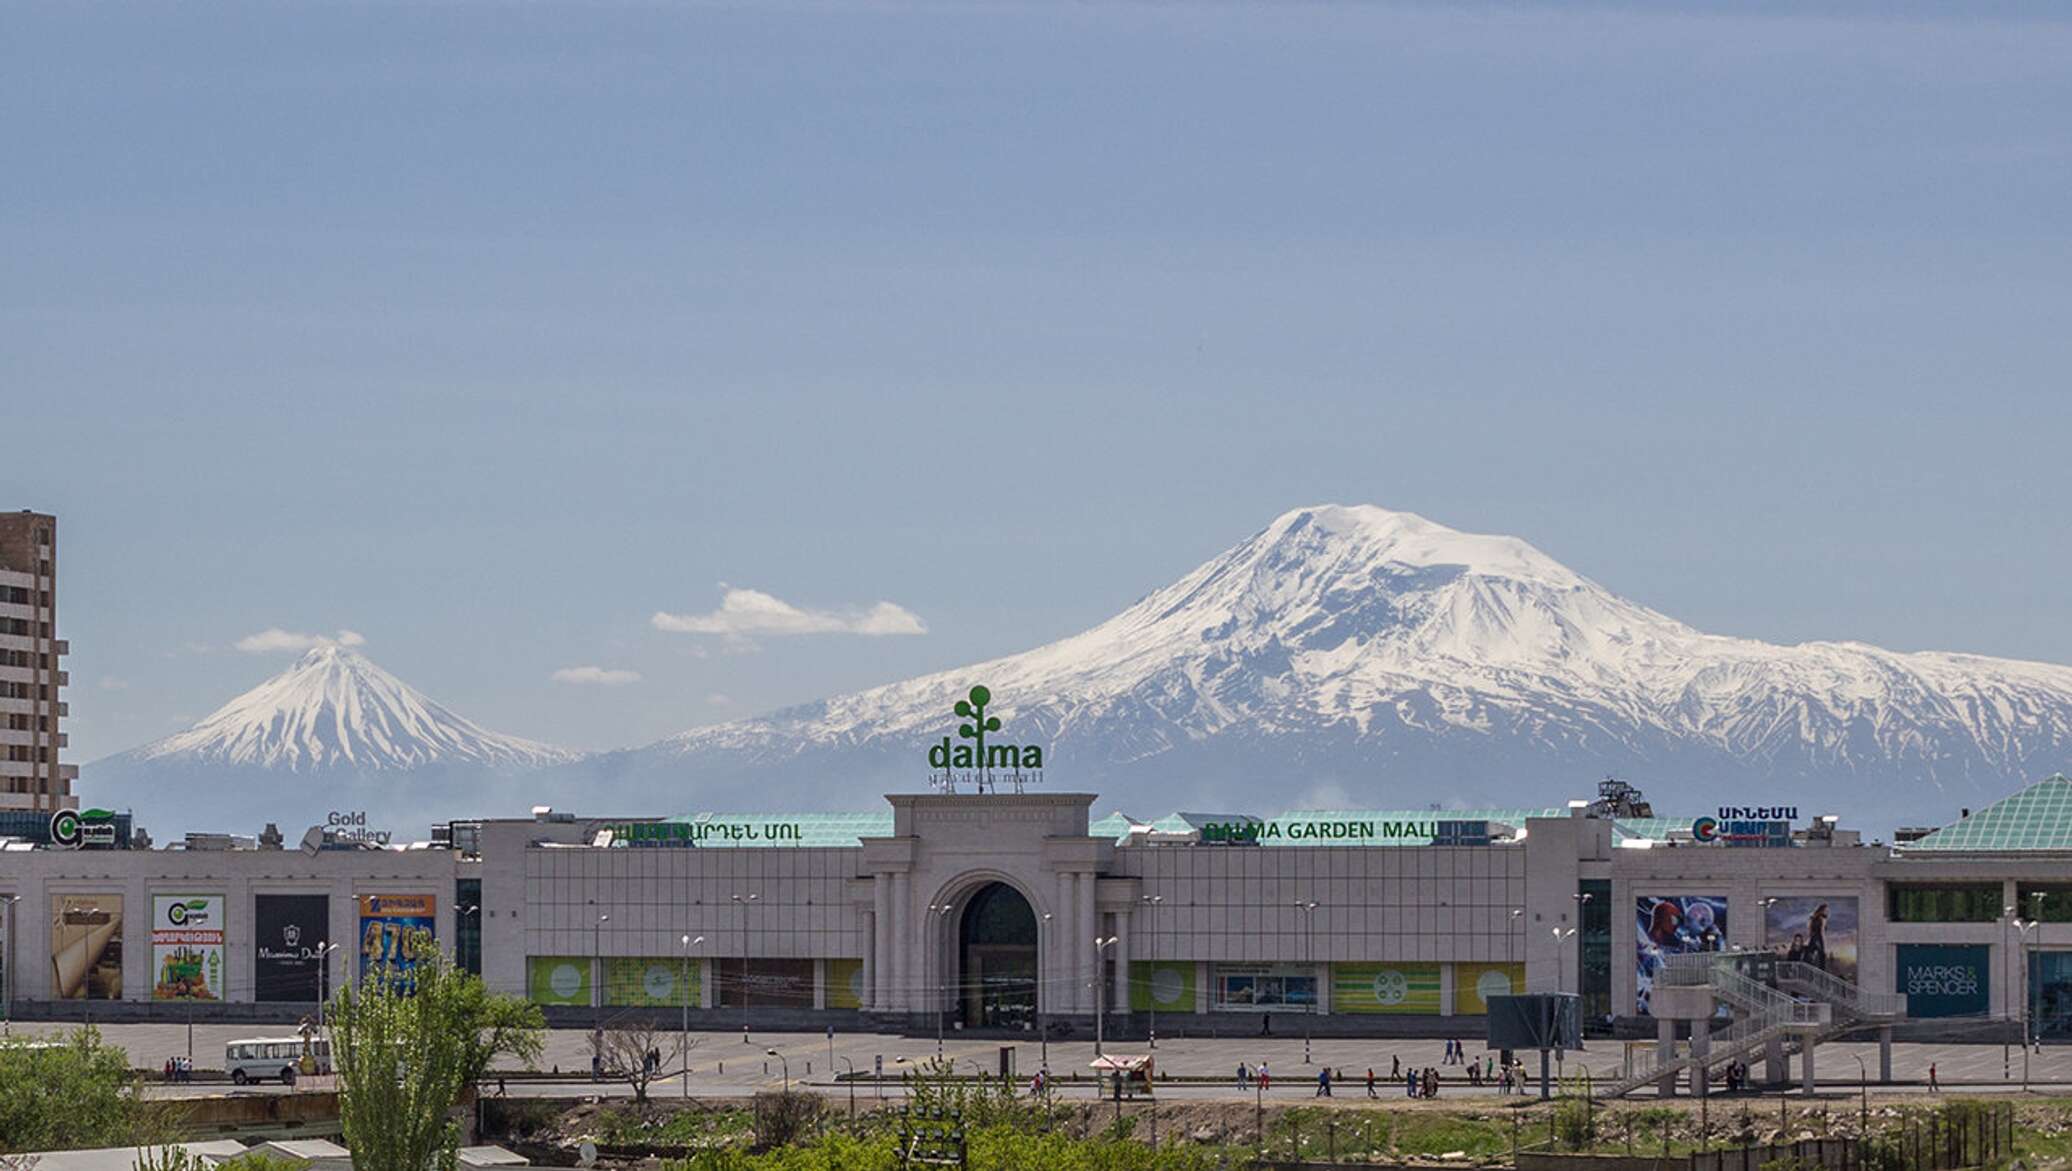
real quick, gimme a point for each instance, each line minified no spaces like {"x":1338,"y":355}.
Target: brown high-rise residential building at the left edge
{"x":32,"y":778}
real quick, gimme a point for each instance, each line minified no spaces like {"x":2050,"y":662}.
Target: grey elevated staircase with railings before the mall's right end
{"x":1806,"y":1004}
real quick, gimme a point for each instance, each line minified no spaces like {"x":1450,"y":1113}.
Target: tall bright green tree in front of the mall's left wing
{"x":407,"y":1054}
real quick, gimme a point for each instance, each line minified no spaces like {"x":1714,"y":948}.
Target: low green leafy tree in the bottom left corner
{"x":69,"y":1095}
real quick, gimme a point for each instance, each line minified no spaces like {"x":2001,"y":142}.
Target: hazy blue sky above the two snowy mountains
{"x":492,"y":331}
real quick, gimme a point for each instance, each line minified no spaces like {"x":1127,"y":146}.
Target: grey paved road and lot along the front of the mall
{"x":722,"y":1064}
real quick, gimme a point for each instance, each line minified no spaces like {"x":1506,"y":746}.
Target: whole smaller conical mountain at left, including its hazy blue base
{"x":333,"y":733}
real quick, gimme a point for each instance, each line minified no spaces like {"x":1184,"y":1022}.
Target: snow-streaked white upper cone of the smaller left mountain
{"x":337,"y":710}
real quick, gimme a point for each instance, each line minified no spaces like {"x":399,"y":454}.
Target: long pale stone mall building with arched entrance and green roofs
{"x":1010,"y":911}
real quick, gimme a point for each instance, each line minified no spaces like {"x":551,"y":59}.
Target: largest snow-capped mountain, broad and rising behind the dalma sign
{"x":1371,"y":658}
